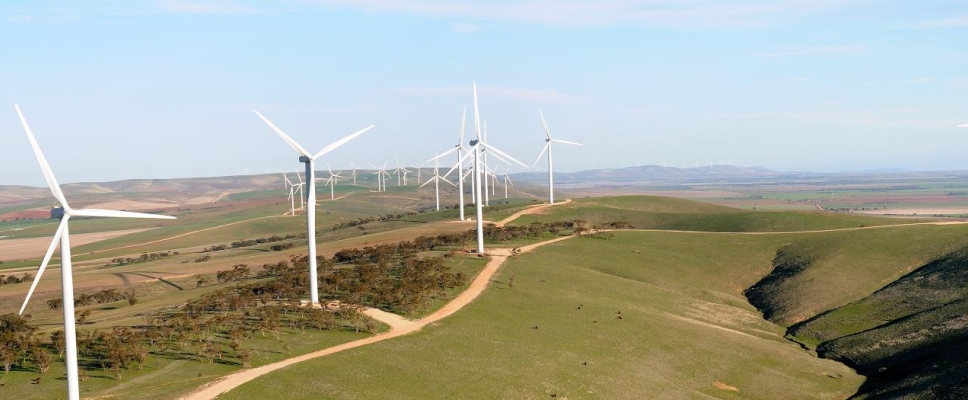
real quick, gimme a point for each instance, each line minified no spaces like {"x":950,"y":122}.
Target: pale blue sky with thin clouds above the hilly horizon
{"x":166,"y":89}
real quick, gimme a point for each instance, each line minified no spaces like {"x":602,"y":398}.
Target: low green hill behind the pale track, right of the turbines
{"x":648,"y":212}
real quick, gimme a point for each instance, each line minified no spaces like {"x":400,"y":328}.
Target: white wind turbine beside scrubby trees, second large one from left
{"x":310,"y":161}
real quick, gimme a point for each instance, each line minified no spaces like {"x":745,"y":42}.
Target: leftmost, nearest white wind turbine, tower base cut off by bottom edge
{"x":64,"y":213}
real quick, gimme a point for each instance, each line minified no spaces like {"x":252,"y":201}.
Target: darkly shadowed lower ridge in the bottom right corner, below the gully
{"x":907,"y":336}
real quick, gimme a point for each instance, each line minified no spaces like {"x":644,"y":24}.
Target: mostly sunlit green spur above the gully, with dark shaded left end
{"x":815,"y":274}
